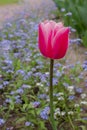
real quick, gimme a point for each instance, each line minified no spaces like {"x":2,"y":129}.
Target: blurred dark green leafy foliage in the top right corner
{"x":78,"y":18}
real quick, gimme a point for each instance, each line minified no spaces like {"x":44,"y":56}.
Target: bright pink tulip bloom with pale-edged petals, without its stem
{"x":53,"y":39}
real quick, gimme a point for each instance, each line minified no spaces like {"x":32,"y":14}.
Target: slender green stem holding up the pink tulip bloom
{"x":51,"y":96}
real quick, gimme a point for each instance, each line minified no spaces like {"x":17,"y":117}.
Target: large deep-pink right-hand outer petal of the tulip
{"x":60,"y":43}
